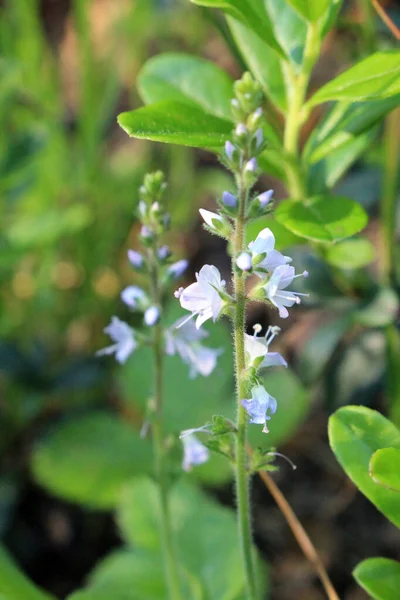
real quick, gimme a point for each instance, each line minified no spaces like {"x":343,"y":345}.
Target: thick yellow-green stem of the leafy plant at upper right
{"x":298,"y":85}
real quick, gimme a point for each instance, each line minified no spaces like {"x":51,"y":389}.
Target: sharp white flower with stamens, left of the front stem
{"x":203,"y":298}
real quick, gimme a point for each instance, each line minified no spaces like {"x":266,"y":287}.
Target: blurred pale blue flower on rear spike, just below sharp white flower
{"x":184,"y":338}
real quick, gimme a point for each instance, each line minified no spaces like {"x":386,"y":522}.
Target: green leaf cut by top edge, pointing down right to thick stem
{"x":250,"y":12}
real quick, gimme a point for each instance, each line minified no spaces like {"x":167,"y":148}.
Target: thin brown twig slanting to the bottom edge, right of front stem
{"x":299,"y":533}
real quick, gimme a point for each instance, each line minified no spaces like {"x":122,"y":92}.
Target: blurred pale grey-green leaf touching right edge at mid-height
{"x":379,"y":311}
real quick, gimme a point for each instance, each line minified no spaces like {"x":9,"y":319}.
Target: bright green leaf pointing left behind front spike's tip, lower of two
{"x":176,"y":123}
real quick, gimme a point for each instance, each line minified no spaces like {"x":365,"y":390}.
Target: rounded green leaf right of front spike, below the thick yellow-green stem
{"x":322,"y":218}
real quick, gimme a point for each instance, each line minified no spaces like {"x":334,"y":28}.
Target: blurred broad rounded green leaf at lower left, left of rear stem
{"x":88,"y":459}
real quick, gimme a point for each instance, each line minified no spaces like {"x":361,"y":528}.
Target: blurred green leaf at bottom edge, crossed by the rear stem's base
{"x":133,"y":575}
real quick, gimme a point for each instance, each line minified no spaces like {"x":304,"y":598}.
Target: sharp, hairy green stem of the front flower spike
{"x":242,"y":477}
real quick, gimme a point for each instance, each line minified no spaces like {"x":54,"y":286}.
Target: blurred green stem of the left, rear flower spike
{"x":160,"y":466}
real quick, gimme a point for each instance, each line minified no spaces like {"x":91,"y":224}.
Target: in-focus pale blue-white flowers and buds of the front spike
{"x":207,"y":298}
